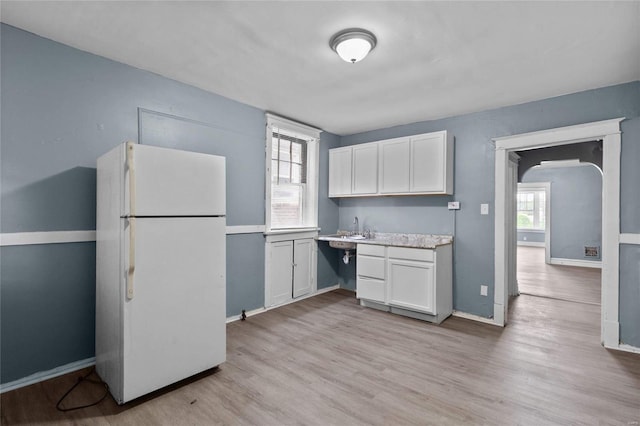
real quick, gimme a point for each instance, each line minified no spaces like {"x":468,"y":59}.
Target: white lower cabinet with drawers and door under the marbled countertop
{"x":408,"y":281}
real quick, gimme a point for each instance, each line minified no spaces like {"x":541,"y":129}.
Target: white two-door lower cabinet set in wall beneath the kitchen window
{"x":290,"y":266}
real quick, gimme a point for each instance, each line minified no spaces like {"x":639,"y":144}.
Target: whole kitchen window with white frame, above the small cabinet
{"x":292,"y":175}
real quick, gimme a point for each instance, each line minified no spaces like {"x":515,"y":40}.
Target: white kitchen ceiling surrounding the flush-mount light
{"x":433,"y":59}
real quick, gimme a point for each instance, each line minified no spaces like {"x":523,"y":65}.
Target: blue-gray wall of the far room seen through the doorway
{"x":576,"y":208}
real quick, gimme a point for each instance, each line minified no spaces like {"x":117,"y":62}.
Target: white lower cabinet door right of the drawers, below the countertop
{"x":411,"y":285}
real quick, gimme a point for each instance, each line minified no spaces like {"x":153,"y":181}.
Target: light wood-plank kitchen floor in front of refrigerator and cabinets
{"x":328,"y":361}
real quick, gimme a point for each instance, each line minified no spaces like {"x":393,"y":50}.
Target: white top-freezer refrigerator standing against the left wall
{"x":160,"y":267}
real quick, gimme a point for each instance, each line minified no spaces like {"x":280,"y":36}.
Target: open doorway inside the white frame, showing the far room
{"x":561,"y":188}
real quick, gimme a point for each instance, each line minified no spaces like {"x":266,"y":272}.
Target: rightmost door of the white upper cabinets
{"x":428,"y":163}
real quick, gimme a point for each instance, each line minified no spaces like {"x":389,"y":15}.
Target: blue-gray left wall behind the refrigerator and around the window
{"x":61,"y":109}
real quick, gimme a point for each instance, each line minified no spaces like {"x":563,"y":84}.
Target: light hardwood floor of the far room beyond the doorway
{"x":570,"y":283}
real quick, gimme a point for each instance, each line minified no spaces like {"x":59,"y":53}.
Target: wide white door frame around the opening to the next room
{"x":609,"y":132}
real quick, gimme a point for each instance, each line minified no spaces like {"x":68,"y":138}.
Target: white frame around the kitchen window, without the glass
{"x":301,"y":131}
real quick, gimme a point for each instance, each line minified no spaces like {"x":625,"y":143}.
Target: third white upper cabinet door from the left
{"x":394,"y":169}
